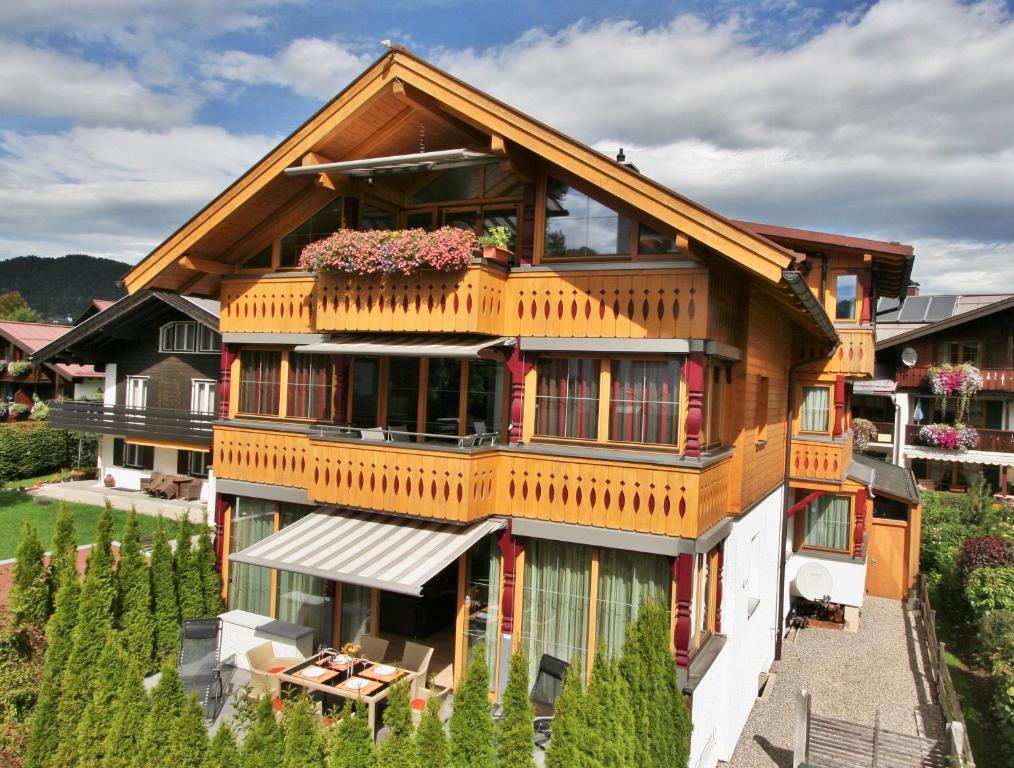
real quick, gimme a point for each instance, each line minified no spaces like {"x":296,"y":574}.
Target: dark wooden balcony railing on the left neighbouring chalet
{"x":157,"y":424}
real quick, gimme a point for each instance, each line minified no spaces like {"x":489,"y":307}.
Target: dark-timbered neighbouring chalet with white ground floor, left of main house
{"x":160,"y":354}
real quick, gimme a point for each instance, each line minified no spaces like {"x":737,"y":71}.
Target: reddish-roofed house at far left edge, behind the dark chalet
{"x":19,"y":341}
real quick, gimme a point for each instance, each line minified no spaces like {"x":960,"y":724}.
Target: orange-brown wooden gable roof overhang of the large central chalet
{"x":383,"y":112}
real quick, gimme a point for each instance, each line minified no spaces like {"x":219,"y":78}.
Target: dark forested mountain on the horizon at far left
{"x":60,"y":290}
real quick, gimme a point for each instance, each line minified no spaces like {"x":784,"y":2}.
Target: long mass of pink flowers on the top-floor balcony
{"x":400,"y":252}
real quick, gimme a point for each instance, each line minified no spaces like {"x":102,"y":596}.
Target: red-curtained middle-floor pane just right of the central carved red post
{"x":567,"y":398}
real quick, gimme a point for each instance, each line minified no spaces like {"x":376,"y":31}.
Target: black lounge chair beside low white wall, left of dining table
{"x":201,"y":669}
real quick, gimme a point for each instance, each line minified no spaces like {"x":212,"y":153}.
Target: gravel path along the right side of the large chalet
{"x":850,"y":677}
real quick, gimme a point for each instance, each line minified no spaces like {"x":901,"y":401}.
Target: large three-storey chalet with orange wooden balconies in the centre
{"x":522,"y":453}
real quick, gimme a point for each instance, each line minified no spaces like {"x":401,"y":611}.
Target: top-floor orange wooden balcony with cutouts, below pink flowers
{"x":485,"y":299}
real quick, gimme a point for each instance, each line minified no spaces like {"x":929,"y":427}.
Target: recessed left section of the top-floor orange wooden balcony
{"x":271,"y":305}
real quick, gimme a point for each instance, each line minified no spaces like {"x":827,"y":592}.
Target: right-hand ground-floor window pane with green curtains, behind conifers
{"x":626,"y":581}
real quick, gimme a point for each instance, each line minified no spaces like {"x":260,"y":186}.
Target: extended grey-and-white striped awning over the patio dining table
{"x":396,"y":554}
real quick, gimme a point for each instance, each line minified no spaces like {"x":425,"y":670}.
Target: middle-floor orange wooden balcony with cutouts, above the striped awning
{"x":464,"y":485}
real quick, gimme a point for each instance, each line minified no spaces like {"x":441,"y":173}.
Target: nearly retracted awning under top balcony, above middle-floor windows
{"x":472,"y":347}
